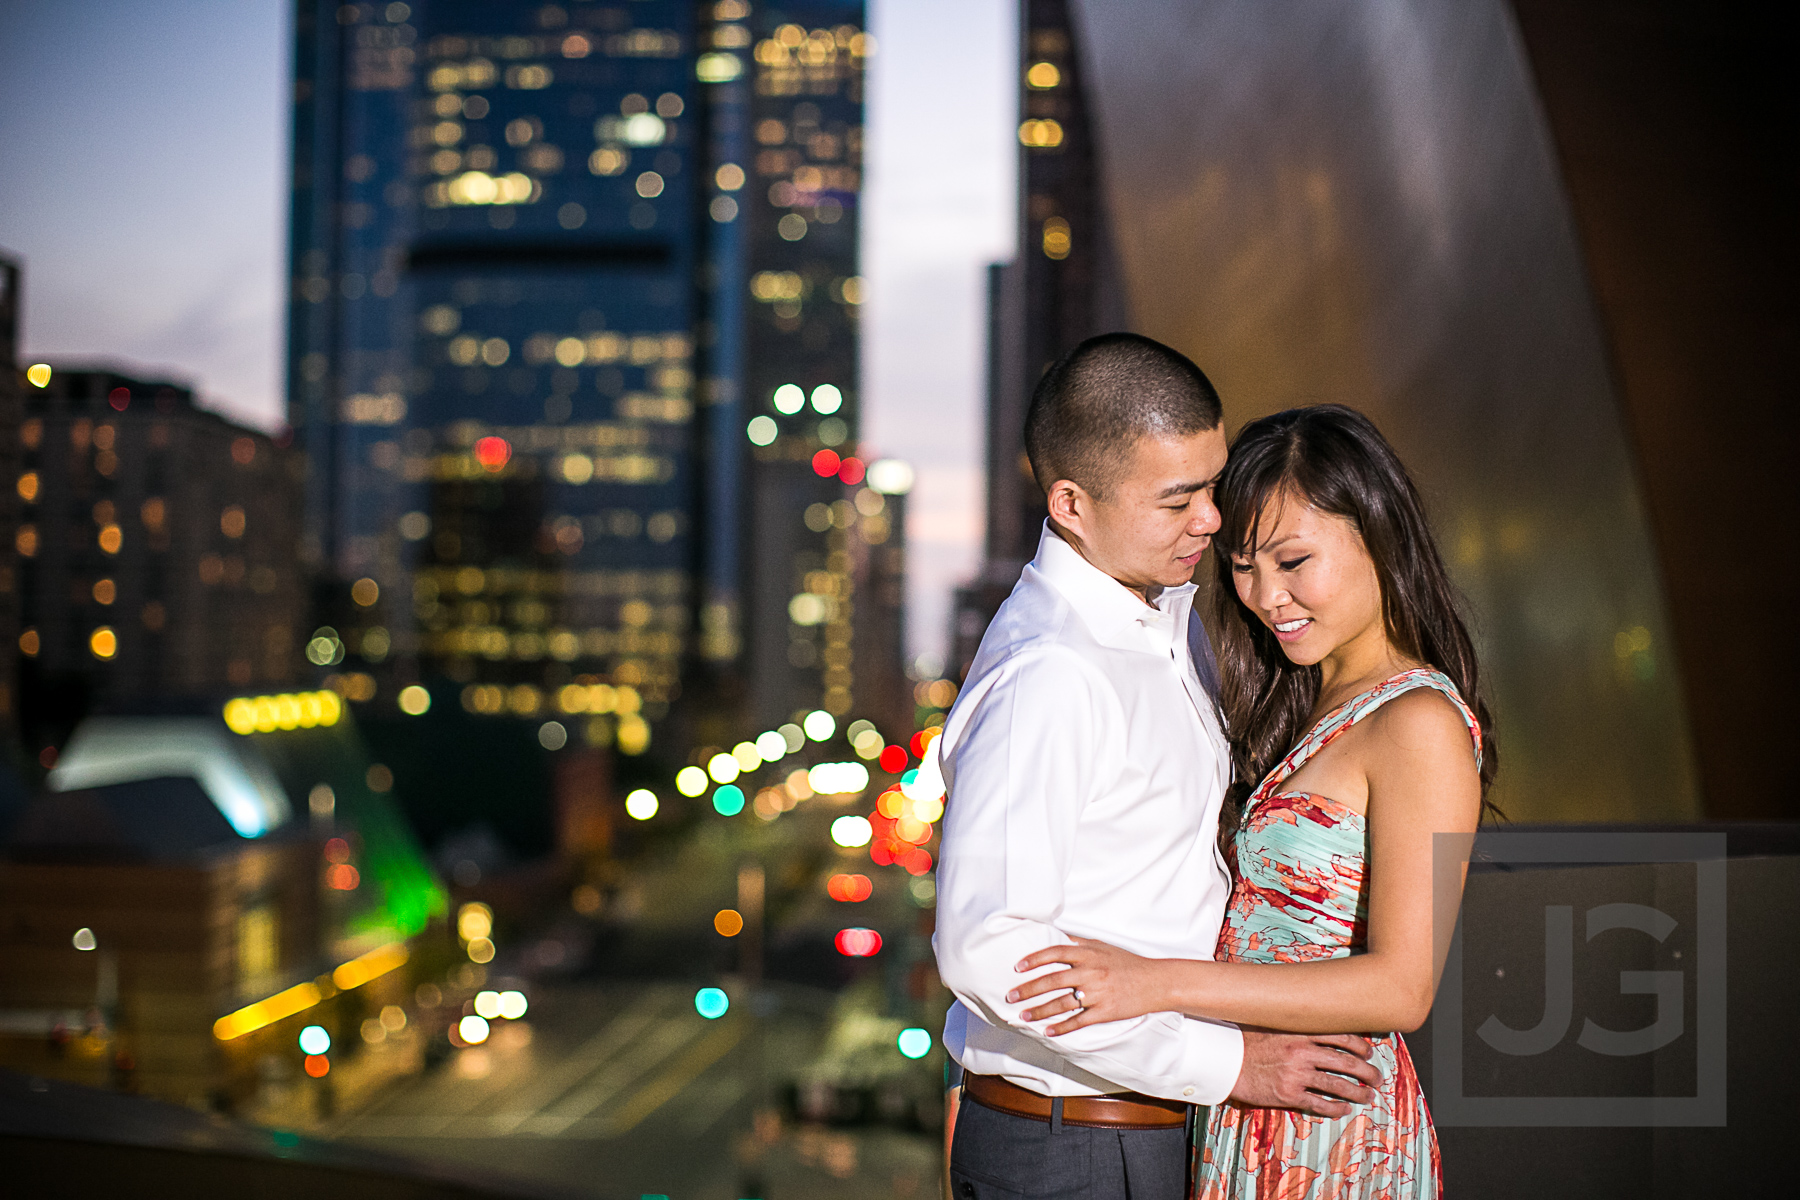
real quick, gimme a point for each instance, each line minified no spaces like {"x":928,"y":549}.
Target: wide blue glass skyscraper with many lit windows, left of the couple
{"x":550,"y":267}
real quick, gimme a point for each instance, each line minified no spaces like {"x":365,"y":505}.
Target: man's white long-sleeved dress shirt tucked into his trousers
{"x":1086,"y":767}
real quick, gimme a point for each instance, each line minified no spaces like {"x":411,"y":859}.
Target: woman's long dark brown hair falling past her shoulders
{"x":1336,"y":461}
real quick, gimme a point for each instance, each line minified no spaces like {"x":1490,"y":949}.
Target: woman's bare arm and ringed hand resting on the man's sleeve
{"x":1423,"y":785}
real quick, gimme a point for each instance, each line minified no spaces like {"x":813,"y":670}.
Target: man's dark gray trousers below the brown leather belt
{"x":996,"y":1156}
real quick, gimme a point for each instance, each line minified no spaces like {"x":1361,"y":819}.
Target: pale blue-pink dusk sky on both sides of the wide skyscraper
{"x":145,"y":168}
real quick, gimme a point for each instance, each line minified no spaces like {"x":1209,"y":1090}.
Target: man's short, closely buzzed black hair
{"x":1102,"y":399}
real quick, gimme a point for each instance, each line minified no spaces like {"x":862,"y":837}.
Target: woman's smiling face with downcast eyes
{"x":1311,"y":582}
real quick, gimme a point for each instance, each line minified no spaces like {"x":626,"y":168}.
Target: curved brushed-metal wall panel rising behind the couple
{"x":1360,"y":204}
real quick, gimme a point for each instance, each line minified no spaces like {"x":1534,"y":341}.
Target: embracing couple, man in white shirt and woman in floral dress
{"x":1185,"y":900}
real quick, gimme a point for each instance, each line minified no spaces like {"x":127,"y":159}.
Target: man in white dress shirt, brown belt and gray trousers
{"x":1086,"y":767}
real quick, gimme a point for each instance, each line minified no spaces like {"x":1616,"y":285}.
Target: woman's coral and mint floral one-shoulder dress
{"x":1302,"y":895}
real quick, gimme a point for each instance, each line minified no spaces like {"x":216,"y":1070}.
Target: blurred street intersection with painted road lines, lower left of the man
{"x":627,"y":1091}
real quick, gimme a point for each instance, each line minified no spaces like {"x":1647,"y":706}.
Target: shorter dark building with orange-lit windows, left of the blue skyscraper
{"x":156,"y":550}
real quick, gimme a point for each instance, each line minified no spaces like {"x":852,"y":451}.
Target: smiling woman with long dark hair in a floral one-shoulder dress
{"x":1353,"y":695}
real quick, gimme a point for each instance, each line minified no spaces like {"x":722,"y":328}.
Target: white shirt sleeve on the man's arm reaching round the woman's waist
{"x":1030,"y":748}
